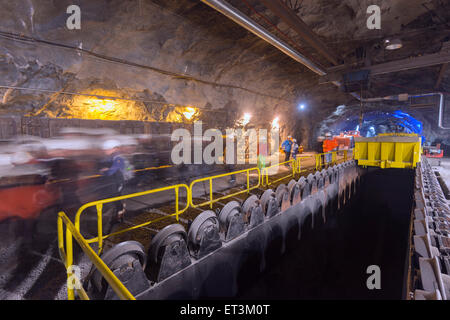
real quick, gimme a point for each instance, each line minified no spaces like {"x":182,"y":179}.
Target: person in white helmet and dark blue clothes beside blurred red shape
{"x":115,"y":173}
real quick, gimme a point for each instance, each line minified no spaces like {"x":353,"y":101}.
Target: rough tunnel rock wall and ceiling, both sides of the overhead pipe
{"x":156,"y":60}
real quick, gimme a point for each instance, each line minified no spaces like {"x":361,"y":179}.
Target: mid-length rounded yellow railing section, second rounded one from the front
{"x":211,"y":201}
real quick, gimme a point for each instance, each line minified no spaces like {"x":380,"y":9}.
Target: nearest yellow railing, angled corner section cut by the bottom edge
{"x":66,"y":254}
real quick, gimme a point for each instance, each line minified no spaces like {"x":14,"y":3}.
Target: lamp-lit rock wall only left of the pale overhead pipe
{"x":140,"y":50}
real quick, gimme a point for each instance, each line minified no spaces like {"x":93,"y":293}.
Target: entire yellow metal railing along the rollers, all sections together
{"x":73,"y":229}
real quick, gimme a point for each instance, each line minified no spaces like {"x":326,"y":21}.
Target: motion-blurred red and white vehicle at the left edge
{"x":37,"y":173}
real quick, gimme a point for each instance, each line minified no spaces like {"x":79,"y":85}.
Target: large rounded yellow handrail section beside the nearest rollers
{"x":99,"y":206}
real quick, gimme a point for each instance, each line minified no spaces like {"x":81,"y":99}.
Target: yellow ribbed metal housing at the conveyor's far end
{"x":388,"y":150}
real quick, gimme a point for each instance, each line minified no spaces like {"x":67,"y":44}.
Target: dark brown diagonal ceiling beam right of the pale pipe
{"x":297,"y":24}
